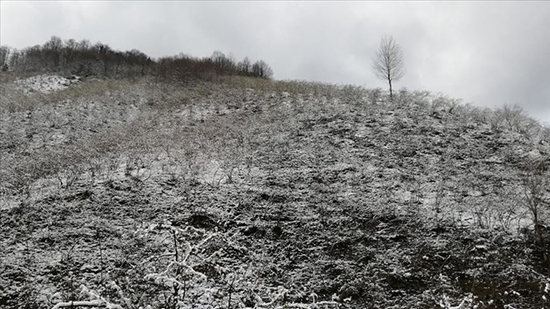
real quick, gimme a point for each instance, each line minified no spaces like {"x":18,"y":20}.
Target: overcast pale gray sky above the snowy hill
{"x":487,"y":53}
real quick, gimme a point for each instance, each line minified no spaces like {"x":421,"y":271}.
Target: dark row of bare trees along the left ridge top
{"x":86,"y":59}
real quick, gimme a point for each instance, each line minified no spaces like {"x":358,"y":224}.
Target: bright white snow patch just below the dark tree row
{"x":45,"y":83}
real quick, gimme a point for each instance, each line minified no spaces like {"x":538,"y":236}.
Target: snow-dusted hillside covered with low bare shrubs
{"x":240,"y":192}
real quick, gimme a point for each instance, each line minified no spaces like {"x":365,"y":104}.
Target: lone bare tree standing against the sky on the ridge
{"x":388,"y":62}
